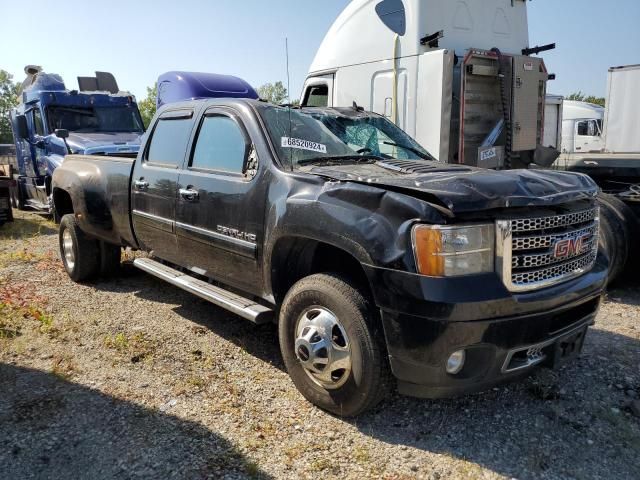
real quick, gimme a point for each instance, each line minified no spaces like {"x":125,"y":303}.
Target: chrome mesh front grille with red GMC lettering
{"x":538,"y":252}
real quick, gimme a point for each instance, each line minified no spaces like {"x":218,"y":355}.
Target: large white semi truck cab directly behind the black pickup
{"x":458,"y":76}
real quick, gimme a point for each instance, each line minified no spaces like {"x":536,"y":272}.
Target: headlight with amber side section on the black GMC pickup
{"x":442,"y":251}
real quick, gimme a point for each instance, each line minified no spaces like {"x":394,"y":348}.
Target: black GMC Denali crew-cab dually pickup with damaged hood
{"x":378,"y":265}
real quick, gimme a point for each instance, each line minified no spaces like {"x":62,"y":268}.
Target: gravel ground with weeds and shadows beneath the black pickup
{"x":132,"y":378}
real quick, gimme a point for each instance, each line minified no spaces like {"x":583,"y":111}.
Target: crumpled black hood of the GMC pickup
{"x":465,"y":189}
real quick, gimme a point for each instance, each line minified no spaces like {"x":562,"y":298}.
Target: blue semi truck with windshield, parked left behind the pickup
{"x":51,"y":121}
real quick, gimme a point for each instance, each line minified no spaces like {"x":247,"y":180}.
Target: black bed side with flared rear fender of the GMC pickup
{"x":99,"y":190}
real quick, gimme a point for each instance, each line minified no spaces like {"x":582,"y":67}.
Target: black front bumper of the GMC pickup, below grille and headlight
{"x":426,"y":319}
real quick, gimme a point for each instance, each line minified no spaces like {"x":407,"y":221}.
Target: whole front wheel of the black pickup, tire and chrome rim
{"x":332,"y":345}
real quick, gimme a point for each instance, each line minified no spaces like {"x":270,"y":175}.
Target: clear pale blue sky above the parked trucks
{"x":138,"y":40}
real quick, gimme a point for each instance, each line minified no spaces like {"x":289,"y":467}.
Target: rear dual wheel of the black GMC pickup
{"x":80,"y":254}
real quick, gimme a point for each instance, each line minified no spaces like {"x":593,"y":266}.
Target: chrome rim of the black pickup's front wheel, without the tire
{"x":322,"y":347}
